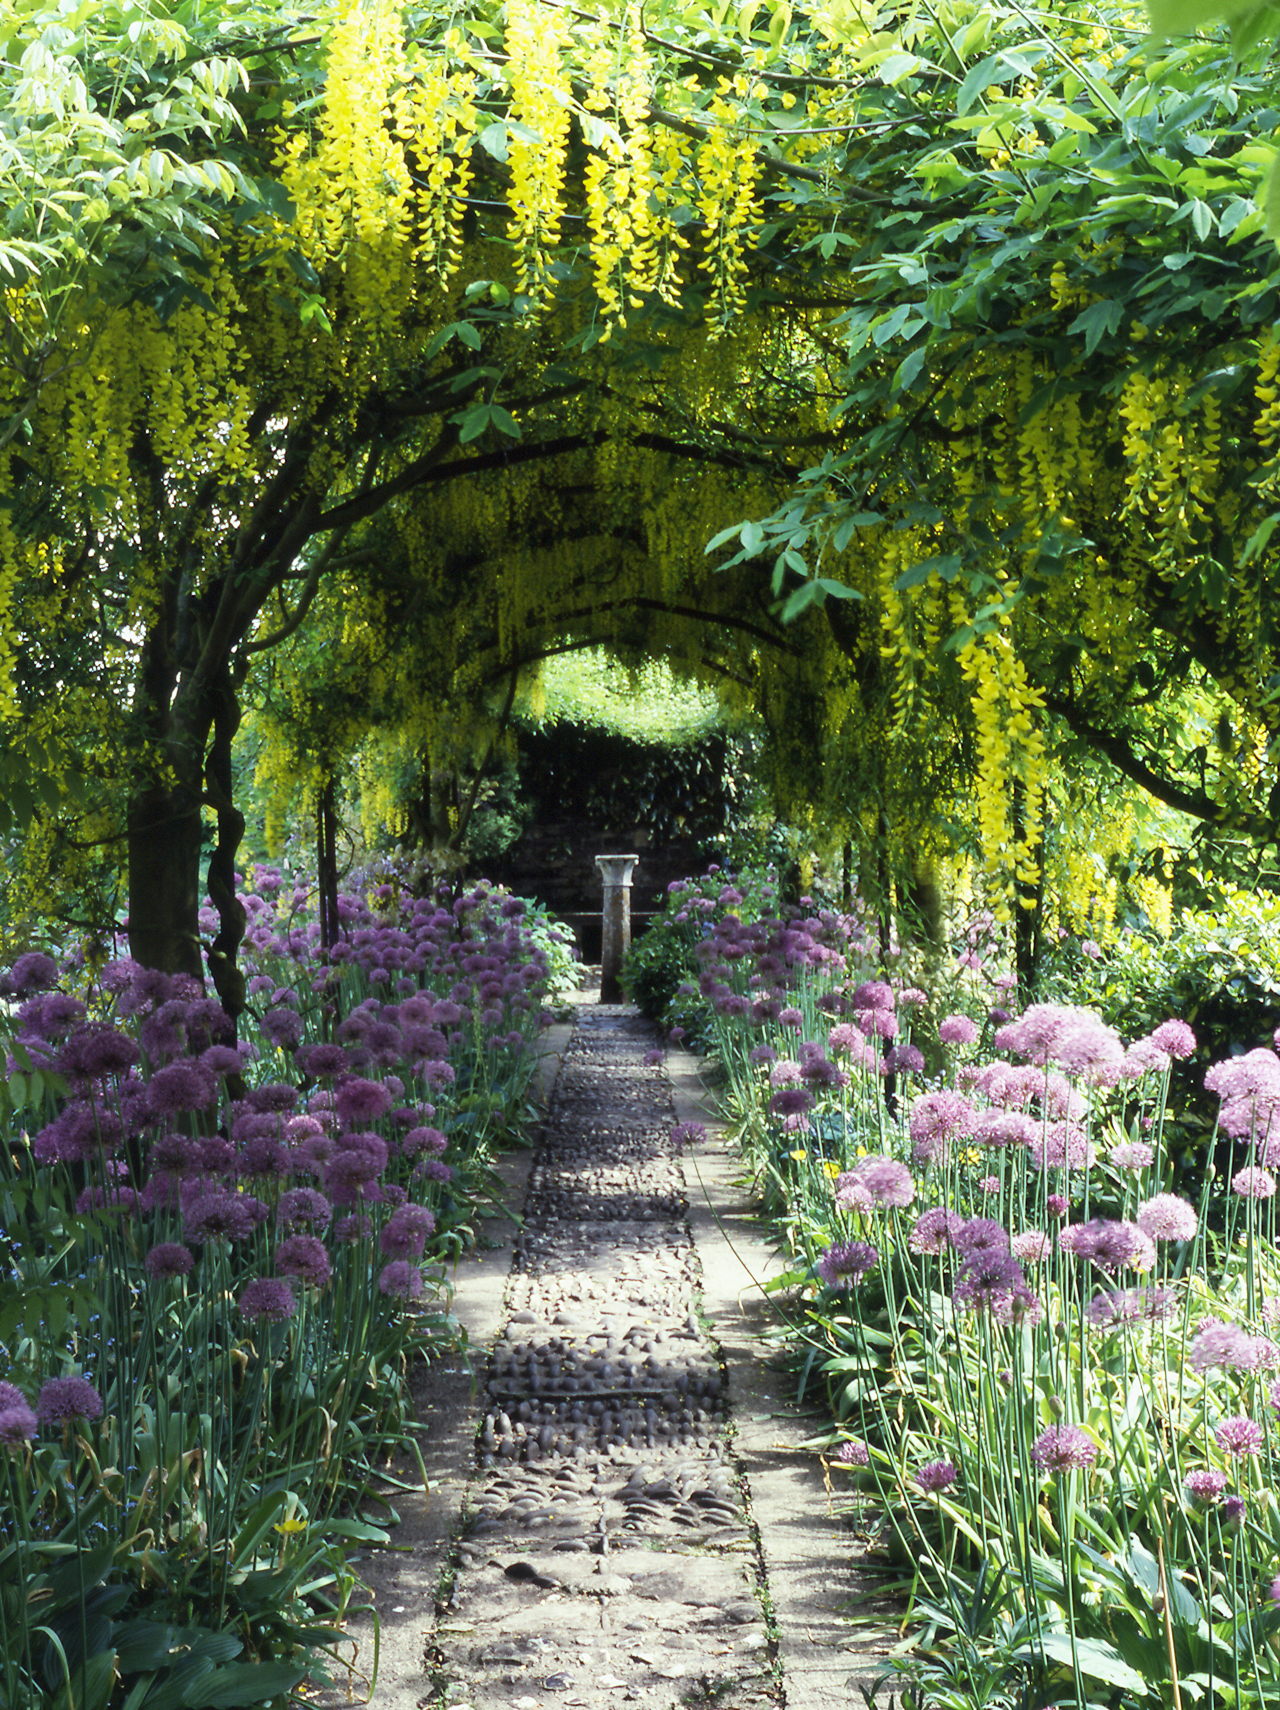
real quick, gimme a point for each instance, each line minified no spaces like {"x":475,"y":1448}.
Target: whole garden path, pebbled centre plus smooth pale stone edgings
{"x":621,"y":1511}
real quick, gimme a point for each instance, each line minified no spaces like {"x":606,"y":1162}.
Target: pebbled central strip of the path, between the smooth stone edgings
{"x":608,"y":1550}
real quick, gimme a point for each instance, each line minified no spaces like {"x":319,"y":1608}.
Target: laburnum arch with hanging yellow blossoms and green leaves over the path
{"x":532,"y":273}
